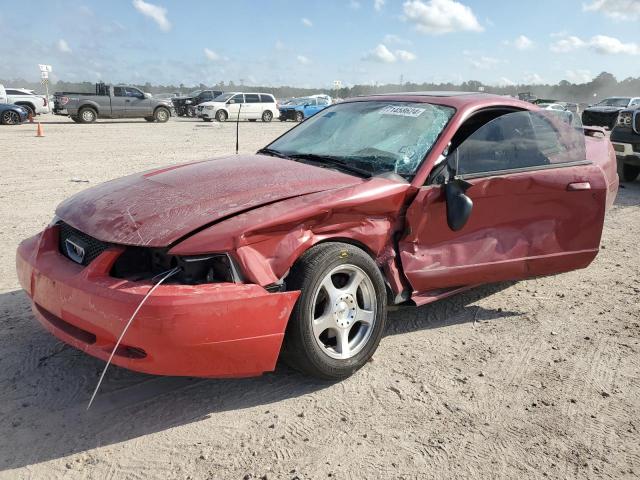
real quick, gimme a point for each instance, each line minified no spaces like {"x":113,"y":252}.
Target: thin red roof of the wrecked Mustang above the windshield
{"x":458,"y":100}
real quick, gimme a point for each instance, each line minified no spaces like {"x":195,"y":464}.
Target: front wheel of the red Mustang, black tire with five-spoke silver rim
{"x":347,"y":337}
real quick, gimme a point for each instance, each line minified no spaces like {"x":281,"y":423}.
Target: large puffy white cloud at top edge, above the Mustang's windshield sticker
{"x":441,"y":16}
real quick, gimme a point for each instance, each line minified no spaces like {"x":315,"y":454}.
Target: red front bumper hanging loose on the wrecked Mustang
{"x":210,"y":330}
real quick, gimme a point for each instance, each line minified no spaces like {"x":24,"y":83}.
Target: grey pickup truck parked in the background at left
{"x":121,"y":101}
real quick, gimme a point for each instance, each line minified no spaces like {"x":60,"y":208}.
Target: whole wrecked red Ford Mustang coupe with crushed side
{"x":297,"y":251}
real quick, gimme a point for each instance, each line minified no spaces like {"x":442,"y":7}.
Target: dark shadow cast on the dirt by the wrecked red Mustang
{"x":45,"y":385}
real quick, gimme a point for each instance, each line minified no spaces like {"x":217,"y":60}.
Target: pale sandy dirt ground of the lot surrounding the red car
{"x":528,"y":380}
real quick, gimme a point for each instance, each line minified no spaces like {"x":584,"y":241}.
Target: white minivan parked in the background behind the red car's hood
{"x":238,"y":105}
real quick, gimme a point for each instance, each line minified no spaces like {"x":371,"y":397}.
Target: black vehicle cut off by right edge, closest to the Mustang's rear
{"x":625,"y":138}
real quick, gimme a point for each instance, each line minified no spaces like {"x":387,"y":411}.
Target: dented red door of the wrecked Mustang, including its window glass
{"x":538,"y":207}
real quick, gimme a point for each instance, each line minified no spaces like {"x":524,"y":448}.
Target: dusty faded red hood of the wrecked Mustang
{"x":159,"y":207}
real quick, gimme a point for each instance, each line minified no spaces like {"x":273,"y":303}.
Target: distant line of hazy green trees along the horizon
{"x":602,"y":86}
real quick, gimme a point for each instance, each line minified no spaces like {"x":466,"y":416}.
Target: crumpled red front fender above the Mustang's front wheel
{"x":266,"y":241}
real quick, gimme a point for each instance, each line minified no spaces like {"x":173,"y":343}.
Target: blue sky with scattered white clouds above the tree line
{"x":313,"y":43}
